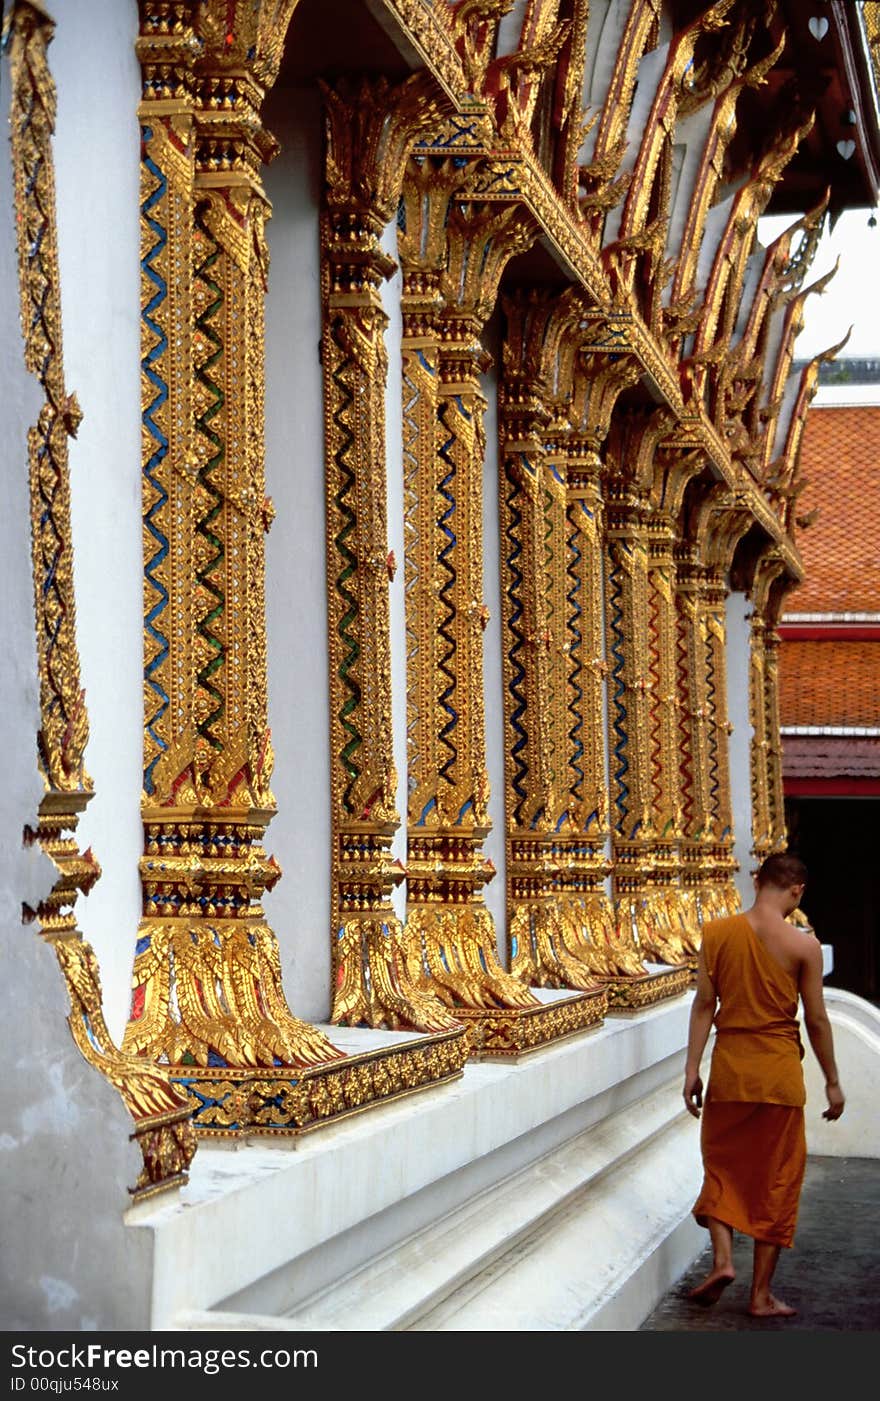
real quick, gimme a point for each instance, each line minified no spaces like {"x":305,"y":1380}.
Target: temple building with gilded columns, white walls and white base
{"x":403,"y":441}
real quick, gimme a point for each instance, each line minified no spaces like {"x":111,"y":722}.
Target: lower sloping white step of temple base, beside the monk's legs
{"x":585,"y":1238}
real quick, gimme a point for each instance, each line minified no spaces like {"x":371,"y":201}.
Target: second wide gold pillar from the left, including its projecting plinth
{"x":453,"y":254}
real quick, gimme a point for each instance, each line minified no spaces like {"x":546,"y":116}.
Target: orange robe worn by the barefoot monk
{"x":753,"y":1127}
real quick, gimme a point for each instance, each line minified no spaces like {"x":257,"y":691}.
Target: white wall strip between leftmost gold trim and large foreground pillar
{"x":97,"y":156}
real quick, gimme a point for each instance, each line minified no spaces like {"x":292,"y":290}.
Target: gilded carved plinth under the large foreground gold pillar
{"x":284,"y":1102}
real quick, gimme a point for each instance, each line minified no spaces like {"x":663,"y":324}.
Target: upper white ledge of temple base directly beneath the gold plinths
{"x":254,"y":1208}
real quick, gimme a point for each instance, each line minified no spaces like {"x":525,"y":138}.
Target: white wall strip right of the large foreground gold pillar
{"x":299,"y":909}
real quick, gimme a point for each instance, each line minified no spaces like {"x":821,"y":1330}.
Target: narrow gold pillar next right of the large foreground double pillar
{"x":369,"y":134}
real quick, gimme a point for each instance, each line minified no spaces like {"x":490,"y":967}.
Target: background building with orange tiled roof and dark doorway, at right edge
{"x":830,"y":675}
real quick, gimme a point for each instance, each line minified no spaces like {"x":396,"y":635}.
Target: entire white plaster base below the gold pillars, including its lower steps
{"x":375,"y":1222}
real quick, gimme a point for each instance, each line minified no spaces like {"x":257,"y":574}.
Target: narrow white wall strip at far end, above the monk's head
{"x":739,"y":652}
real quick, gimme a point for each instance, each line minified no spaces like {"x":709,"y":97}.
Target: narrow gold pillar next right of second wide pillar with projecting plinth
{"x":547,"y":948}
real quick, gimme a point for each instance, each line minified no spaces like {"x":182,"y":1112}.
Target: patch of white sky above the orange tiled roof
{"x":853,"y":298}
